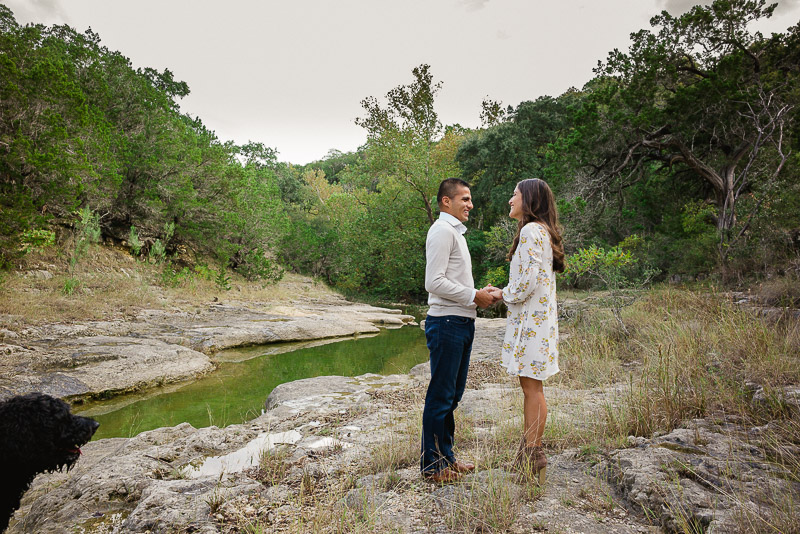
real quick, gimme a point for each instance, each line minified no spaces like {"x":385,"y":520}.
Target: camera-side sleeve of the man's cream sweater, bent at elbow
{"x":438,"y":249}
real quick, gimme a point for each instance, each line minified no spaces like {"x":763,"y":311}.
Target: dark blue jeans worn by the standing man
{"x":450,"y":343}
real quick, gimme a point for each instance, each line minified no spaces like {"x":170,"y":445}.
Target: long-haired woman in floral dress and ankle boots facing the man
{"x":530,"y":346}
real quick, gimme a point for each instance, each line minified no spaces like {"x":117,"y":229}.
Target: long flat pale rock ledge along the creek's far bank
{"x":106,"y":358}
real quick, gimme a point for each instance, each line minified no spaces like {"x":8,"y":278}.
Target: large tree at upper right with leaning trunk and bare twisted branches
{"x":702,"y":96}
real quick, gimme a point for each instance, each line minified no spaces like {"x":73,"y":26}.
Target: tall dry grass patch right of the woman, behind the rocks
{"x":686,"y":355}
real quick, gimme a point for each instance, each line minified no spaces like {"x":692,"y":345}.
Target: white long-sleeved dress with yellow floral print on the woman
{"x":530,"y":346}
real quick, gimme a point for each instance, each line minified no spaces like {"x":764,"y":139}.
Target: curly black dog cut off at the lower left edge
{"x":37,"y":434}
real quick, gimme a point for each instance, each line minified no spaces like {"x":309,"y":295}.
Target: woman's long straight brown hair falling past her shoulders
{"x":539,"y":205}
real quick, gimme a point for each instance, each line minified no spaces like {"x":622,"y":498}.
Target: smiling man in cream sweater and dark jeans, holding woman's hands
{"x":449,"y":329}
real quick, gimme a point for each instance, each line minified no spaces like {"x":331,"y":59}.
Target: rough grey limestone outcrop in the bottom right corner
{"x":698,"y":476}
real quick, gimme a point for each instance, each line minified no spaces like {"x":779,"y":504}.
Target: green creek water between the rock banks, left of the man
{"x":236,"y":391}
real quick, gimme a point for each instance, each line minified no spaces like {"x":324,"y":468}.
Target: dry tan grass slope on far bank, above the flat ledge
{"x":112,"y":284}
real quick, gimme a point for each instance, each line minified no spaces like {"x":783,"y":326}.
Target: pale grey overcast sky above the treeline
{"x":292,"y":73}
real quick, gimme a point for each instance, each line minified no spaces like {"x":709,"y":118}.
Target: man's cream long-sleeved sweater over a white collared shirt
{"x":448,"y":271}
